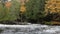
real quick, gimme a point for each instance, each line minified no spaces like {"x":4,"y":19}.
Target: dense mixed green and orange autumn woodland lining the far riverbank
{"x":30,"y":11}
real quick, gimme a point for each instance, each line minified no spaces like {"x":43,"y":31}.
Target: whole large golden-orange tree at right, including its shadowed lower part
{"x":53,"y":6}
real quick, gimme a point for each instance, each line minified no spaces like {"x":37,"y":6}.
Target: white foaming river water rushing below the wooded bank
{"x":29,"y":29}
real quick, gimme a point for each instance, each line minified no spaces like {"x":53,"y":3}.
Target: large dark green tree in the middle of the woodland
{"x":35,"y":9}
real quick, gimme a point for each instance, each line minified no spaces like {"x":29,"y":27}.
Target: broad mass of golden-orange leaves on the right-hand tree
{"x":53,"y":6}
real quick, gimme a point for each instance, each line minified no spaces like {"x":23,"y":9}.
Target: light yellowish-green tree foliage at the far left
{"x":11,"y":14}
